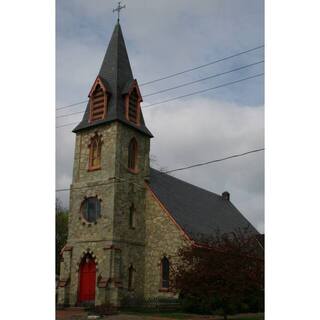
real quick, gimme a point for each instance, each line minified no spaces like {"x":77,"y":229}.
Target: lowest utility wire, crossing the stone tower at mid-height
{"x":169,"y":171}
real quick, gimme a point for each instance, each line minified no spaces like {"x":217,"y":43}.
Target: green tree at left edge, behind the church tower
{"x":61,"y":231}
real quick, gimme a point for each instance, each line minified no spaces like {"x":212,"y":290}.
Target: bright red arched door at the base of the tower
{"x":87,"y":285}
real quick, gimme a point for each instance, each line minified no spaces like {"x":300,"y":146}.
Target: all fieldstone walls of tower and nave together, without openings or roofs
{"x":114,"y":245}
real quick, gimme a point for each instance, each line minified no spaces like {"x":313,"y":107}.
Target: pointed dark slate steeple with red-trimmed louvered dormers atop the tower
{"x":120,"y":88}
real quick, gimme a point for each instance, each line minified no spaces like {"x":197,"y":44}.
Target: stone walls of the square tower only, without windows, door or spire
{"x":110,"y":239}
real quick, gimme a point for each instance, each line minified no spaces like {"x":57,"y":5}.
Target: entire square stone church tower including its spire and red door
{"x":102,"y":261}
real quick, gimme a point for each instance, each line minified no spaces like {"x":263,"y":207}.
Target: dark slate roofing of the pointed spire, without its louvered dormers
{"x":116,"y":74}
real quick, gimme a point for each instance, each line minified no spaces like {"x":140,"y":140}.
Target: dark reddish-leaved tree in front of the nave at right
{"x":223,"y":271}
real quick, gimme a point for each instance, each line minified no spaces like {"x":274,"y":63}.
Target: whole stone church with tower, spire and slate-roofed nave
{"x":127,"y":220}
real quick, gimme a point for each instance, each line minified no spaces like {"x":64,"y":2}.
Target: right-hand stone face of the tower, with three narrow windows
{"x":131,"y":191}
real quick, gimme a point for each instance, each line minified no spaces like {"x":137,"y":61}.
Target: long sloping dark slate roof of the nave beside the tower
{"x":197,"y":211}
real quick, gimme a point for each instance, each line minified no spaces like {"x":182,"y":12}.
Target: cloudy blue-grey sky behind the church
{"x":165,"y":37}
